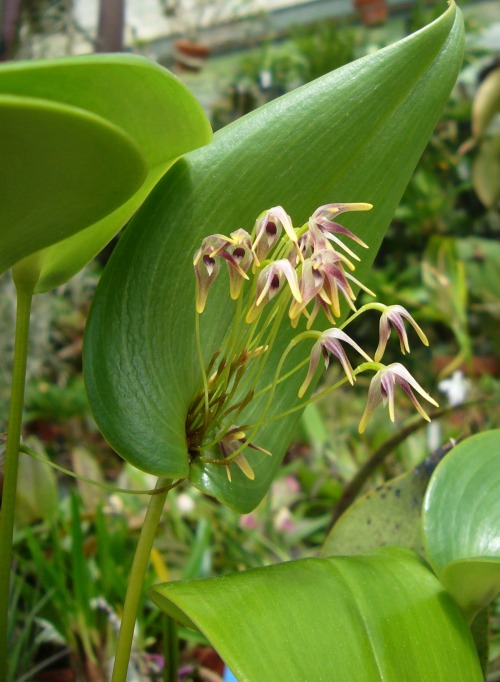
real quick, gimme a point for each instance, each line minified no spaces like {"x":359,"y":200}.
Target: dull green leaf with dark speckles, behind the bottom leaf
{"x":391,"y":514}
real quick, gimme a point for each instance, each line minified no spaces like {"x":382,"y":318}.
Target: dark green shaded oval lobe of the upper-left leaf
{"x":61,"y":168}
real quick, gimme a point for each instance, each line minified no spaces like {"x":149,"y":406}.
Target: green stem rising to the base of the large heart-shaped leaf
{"x":136,"y":581}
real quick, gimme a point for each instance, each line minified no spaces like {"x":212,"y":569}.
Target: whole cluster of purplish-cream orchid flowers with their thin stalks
{"x":303,"y":271}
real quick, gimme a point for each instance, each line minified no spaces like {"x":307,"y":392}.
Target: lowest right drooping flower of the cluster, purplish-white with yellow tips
{"x":382,"y":391}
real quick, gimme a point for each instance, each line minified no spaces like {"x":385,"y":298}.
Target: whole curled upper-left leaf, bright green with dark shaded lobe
{"x":141,"y":102}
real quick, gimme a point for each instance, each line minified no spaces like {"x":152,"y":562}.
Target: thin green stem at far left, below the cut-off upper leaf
{"x":7,"y":512}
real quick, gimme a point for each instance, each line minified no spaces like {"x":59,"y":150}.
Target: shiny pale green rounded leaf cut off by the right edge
{"x":461,"y":521}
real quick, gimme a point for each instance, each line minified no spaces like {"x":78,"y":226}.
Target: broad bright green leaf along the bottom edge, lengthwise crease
{"x":381,"y":617}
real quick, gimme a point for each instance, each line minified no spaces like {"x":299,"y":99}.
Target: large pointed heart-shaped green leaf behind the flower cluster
{"x":353,"y":135}
